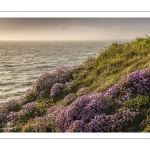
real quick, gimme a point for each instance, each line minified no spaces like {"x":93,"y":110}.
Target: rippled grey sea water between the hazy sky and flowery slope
{"x":21,"y":63}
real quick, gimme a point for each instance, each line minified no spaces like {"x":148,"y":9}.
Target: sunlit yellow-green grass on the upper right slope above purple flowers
{"x":114,"y":63}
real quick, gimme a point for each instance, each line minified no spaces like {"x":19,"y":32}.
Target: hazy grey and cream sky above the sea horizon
{"x":73,"y":28}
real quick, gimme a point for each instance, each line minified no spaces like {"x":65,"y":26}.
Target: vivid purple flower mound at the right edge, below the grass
{"x":135,"y":83}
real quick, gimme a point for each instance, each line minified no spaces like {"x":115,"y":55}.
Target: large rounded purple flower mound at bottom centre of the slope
{"x":83,"y":108}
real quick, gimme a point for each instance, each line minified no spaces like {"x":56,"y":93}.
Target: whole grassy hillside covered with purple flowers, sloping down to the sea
{"x":107,"y":93}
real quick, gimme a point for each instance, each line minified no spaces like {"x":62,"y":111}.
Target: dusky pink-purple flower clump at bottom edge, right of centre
{"x":120,"y":121}
